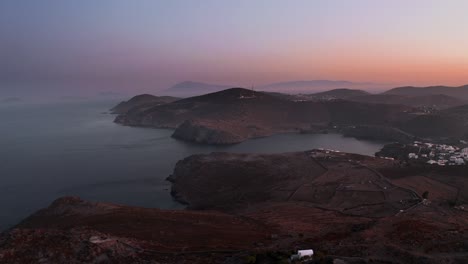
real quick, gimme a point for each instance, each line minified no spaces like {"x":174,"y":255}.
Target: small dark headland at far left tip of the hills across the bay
{"x":142,"y":101}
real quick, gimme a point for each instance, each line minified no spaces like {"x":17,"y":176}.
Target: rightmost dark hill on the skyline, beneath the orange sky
{"x":460,"y":92}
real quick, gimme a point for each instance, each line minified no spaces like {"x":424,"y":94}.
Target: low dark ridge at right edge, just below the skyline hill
{"x":438,"y":101}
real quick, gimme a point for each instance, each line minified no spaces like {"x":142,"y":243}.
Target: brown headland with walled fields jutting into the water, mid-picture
{"x":249,"y":179}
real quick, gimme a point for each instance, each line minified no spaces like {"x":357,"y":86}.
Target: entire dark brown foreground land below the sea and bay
{"x":253,"y":208}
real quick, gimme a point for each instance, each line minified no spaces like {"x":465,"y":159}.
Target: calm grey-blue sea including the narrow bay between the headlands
{"x":49,"y":151}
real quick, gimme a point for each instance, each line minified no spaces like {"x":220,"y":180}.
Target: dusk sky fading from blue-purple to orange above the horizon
{"x":84,"y":46}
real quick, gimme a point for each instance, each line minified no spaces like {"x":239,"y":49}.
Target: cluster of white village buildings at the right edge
{"x":440,"y":154}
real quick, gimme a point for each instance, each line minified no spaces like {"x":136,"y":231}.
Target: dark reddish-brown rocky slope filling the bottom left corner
{"x":72,"y":230}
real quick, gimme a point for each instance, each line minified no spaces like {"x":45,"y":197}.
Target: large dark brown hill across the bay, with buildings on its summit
{"x":236,"y":114}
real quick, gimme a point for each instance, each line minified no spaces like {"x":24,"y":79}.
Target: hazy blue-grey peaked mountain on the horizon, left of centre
{"x":189,"y":88}
